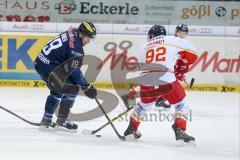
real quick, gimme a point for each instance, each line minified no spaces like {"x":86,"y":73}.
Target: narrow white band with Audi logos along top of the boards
{"x":129,"y":29}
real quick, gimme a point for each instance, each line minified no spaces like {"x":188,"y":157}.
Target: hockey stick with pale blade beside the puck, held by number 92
{"x":90,"y":132}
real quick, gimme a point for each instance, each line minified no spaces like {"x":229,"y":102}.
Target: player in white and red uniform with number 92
{"x":173,"y":55}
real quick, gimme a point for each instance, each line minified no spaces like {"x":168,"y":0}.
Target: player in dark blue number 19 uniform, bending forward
{"x":64,"y":48}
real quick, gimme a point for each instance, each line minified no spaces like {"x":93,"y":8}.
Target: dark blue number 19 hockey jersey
{"x":63,"y":47}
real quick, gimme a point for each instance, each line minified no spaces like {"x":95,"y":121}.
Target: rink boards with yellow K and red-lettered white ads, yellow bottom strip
{"x":217,"y":68}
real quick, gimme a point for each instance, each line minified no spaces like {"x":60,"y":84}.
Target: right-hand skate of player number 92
{"x":181,"y":137}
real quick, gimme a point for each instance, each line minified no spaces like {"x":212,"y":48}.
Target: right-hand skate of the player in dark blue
{"x":66,"y":126}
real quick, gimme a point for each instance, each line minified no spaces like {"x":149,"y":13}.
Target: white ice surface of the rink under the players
{"x":215,"y":125}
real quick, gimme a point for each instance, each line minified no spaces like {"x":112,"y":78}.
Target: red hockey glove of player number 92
{"x":181,"y":67}
